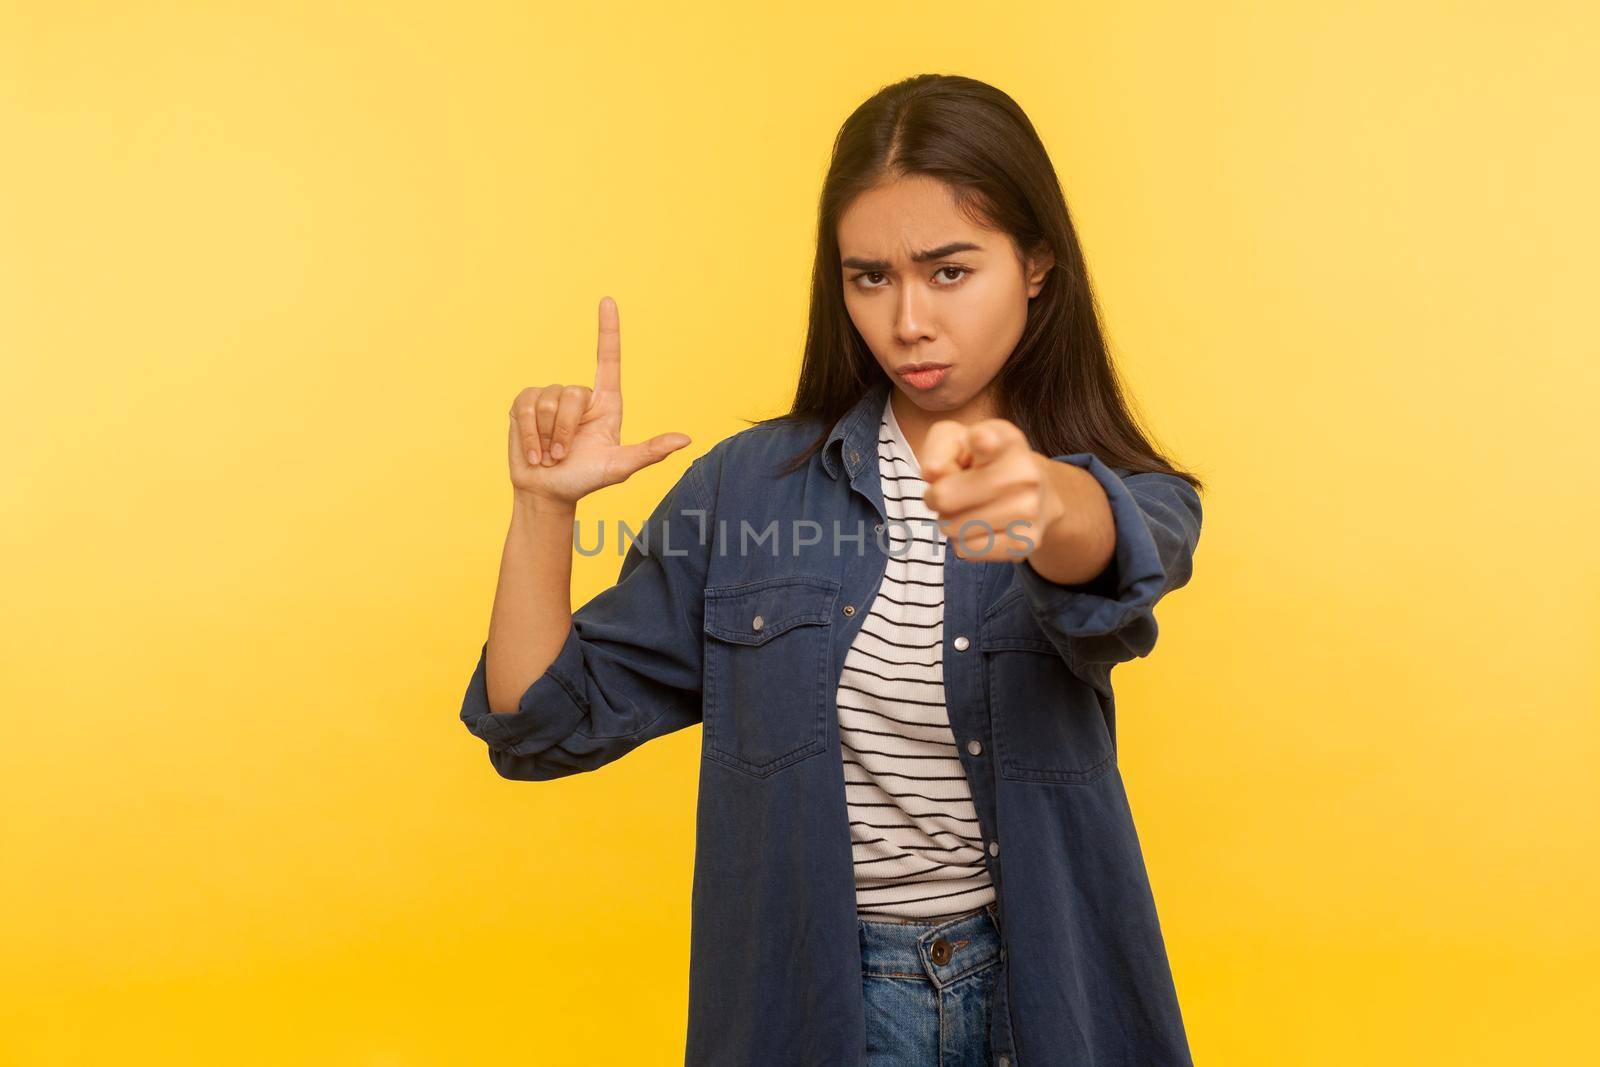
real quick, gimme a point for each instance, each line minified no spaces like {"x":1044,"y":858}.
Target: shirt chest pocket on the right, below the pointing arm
{"x":1049,"y":725}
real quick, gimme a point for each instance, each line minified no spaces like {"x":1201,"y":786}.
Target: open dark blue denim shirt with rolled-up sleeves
{"x":751,"y":644}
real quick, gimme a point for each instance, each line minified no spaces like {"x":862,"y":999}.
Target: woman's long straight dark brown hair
{"x":1060,"y":385}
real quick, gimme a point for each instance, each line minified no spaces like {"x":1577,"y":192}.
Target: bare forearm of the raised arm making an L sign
{"x":534,"y":601}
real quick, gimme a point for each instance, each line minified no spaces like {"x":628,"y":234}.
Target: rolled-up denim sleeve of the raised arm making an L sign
{"x":631,"y":665}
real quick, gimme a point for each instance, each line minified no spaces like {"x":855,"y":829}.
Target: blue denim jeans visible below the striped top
{"x":929,"y":989}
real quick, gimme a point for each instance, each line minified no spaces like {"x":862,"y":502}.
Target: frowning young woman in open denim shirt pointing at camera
{"x":895,"y":612}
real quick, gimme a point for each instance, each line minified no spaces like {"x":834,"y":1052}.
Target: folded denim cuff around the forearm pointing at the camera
{"x":1130,"y":585}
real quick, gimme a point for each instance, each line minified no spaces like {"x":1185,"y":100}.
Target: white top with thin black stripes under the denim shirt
{"x":913,"y":826}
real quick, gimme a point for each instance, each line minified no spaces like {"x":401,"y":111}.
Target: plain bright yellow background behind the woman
{"x":271,"y":276}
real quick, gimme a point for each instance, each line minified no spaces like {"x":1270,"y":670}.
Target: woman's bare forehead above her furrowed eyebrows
{"x":905,"y":215}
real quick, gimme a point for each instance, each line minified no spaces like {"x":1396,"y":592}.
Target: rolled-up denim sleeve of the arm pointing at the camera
{"x":1111,"y":618}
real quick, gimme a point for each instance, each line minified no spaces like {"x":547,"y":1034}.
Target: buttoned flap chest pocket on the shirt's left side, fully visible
{"x":769,"y":647}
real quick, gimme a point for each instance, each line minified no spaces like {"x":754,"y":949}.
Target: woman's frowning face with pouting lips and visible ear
{"x":962,"y":308}
